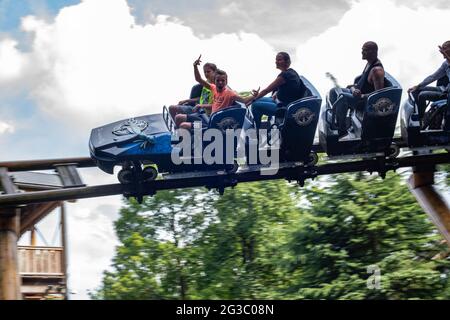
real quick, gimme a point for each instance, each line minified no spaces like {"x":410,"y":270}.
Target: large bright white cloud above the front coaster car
{"x":96,"y":65}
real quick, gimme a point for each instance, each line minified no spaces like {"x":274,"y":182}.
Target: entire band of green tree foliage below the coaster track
{"x":272,"y":240}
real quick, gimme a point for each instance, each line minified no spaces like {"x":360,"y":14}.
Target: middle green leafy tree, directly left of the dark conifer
{"x":244,"y":250}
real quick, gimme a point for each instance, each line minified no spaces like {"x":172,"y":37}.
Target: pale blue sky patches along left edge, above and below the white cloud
{"x":21,"y":107}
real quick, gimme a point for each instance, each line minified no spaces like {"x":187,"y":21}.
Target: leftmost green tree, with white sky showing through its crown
{"x":155,"y":256}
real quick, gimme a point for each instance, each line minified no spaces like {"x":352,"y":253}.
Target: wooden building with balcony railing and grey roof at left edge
{"x":32,"y":272}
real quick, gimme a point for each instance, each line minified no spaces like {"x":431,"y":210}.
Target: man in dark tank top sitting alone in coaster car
{"x":355,"y":95}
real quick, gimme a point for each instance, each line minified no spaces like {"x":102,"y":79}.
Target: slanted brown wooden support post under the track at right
{"x":421,"y":184}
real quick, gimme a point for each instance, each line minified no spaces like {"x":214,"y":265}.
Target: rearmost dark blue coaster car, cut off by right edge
{"x":431,"y":132}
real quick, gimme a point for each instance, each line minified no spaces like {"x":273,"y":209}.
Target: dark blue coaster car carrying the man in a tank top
{"x":371,"y":129}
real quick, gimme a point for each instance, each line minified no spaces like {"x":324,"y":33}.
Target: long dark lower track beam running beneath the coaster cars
{"x":295,"y":173}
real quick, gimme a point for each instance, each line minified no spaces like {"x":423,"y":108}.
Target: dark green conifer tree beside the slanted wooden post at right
{"x":358,"y":222}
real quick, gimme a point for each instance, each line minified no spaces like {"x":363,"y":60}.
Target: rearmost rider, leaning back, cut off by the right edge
{"x":423,"y":93}
